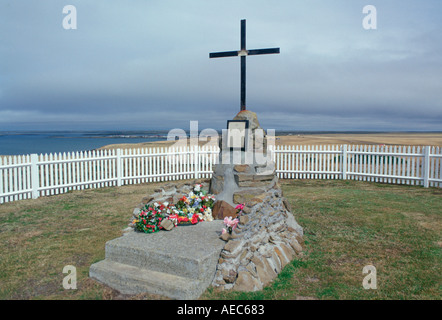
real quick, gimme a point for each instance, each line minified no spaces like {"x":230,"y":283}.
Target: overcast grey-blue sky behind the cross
{"x":144,"y":64}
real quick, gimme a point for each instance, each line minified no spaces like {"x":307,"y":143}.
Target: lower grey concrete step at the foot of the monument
{"x":133,"y":280}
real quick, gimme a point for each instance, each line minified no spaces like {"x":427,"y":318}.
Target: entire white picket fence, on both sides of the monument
{"x":33,"y":176}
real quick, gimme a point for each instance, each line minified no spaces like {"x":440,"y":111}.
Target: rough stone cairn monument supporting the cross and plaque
{"x":267,"y":236}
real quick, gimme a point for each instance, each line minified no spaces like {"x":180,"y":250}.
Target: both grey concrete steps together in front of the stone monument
{"x":179,"y":264}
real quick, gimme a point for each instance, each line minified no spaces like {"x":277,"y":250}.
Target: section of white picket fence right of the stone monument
{"x":412,"y":165}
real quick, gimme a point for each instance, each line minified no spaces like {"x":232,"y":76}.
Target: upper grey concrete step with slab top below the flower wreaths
{"x":185,"y":251}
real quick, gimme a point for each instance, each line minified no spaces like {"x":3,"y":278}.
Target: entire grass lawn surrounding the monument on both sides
{"x":347,"y":225}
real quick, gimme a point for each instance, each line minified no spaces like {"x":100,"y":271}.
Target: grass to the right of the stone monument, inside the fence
{"x":349,"y":225}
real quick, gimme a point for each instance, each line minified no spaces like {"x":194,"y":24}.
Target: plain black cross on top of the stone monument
{"x":243,"y":53}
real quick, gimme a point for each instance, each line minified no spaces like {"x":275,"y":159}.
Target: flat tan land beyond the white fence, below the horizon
{"x":408,"y":139}
